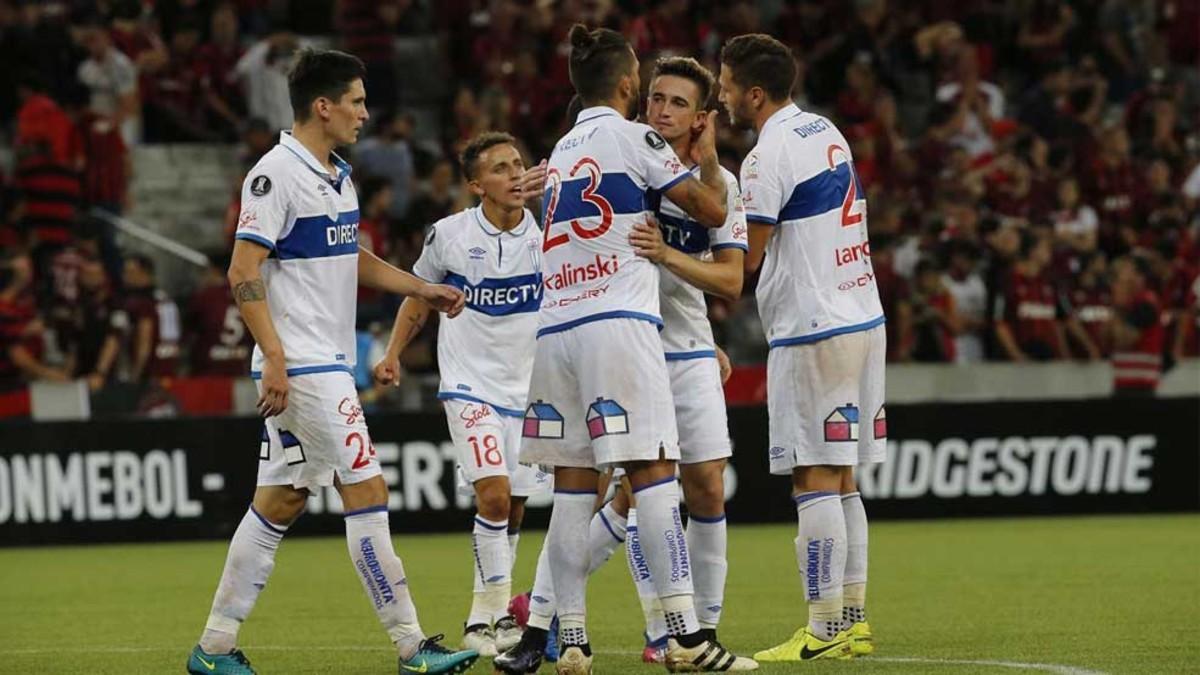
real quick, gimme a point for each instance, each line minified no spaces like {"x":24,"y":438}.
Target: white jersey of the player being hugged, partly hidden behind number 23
{"x":687,"y":333}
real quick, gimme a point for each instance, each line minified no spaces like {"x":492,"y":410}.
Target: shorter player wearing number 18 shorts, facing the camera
{"x":493,"y":253}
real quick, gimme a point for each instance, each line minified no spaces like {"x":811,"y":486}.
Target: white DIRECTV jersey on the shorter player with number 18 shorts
{"x":485,"y":355}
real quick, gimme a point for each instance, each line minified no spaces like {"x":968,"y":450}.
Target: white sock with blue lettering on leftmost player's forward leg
{"x":382,"y":575}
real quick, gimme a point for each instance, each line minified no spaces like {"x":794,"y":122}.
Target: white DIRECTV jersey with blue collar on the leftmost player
{"x":310,"y":222}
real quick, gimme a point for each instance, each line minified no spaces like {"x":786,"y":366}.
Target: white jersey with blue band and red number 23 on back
{"x":596,"y":192}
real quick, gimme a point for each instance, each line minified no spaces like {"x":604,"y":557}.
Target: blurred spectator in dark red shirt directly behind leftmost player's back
{"x":218,"y":339}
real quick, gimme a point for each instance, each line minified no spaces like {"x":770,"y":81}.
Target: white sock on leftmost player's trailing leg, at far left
{"x":248,"y":566}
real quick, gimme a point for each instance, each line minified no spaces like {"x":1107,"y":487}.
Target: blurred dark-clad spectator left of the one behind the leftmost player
{"x":147,"y":328}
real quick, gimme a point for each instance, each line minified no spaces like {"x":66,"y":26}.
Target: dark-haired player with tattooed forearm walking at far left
{"x":296,"y":270}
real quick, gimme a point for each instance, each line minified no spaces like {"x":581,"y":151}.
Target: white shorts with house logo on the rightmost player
{"x":826,"y":402}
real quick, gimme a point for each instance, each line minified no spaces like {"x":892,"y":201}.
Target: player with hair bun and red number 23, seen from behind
{"x":601,"y":393}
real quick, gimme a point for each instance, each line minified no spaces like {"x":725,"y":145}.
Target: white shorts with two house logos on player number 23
{"x":601,"y":396}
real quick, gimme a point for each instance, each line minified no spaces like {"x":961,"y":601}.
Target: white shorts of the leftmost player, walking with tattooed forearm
{"x":322,"y":433}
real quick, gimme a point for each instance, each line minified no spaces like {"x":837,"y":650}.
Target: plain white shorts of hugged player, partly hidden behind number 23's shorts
{"x":700,"y":410}
